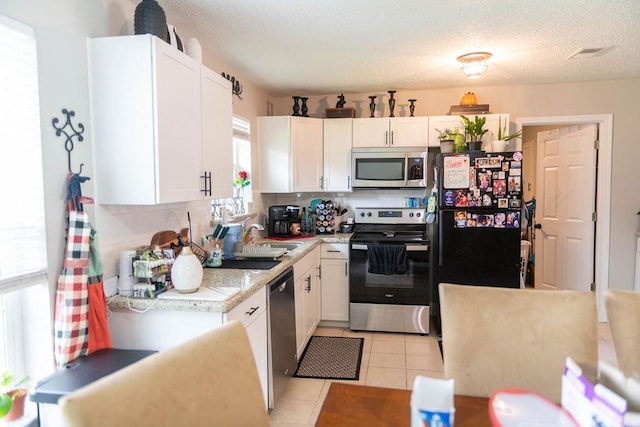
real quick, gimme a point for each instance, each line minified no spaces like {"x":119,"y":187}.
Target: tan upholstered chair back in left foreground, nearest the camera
{"x":209,"y":380}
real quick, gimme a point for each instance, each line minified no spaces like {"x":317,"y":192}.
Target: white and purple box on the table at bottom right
{"x":590,"y":404}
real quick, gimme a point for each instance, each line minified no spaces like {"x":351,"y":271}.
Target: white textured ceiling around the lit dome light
{"x":328,"y":46}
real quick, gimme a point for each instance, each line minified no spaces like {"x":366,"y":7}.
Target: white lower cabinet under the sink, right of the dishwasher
{"x":307,"y":294}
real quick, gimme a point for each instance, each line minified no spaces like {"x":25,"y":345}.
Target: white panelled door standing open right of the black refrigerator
{"x":564,"y":241}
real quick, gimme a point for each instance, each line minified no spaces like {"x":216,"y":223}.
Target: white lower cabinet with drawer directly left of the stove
{"x":335,"y":281}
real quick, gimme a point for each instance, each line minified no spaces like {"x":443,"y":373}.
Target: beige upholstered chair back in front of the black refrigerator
{"x":495,"y":338}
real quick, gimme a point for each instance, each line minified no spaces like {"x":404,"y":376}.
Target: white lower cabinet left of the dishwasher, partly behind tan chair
{"x":253,"y":315}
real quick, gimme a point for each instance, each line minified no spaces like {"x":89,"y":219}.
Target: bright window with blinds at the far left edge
{"x":25,"y":321}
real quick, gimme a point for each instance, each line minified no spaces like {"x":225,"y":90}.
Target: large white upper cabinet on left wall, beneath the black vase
{"x":146,"y":108}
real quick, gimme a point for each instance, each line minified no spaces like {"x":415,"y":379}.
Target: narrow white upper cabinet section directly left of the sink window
{"x":217,"y":133}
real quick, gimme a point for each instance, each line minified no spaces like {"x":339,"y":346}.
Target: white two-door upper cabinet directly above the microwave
{"x":391,"y":132}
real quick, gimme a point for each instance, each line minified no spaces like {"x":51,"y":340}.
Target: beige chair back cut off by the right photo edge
{"x":623,"y":311}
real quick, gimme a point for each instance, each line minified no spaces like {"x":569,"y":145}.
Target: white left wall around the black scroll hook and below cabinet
{"x":61,"y":29}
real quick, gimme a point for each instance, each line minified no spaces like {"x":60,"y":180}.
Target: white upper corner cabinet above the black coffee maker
{"x":290,"y":154}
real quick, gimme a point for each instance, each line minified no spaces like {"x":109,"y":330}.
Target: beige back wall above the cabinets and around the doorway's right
{"x":580,"y":98}
